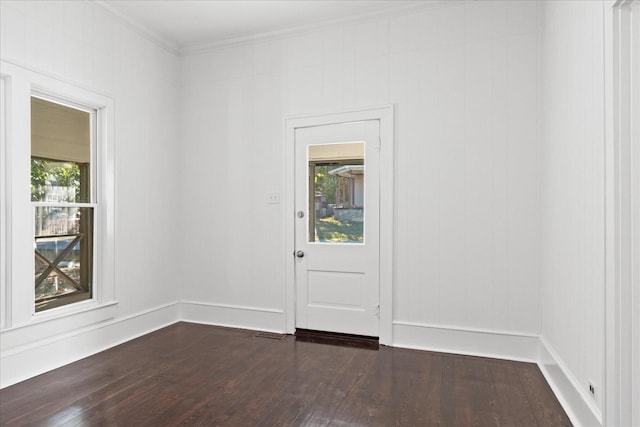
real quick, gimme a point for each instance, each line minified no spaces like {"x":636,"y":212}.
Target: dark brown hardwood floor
{"x":196,"y":375}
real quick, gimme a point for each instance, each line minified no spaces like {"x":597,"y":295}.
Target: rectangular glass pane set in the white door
{"x":336,"y":193}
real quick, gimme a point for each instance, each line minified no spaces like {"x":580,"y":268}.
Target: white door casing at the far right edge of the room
{"x":622,"y":284}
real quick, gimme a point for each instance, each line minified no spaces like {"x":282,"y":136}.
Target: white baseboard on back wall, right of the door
{"x":471,"y":342}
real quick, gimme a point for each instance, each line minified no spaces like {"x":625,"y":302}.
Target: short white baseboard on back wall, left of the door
{"x":233,"y":316}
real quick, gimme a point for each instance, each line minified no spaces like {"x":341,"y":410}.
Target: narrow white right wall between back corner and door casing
{"x":572,"y":222}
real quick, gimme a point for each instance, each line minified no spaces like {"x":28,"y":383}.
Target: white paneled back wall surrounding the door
{"x":464,"y":82}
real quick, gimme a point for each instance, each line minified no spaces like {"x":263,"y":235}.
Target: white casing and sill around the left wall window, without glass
{"x":19,"y":308}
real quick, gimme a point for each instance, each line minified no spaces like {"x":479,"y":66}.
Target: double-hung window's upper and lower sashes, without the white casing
{"x":63,"y":198}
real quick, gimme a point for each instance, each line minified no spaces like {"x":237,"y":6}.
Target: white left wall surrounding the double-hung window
{"x":81,"y":43}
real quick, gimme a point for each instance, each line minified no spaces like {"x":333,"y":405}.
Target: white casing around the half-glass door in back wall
{"x":385,"y":116}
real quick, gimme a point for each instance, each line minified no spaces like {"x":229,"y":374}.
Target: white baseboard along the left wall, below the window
{"x":26,"y":361}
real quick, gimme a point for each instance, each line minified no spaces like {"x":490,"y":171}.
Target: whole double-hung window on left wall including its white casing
{"x":57,"y":194}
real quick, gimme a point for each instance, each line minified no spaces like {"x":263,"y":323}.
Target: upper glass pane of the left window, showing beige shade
{"x":60,"y":153}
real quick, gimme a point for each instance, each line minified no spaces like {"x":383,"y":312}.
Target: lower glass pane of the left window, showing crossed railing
{"x":63,"y":255}
